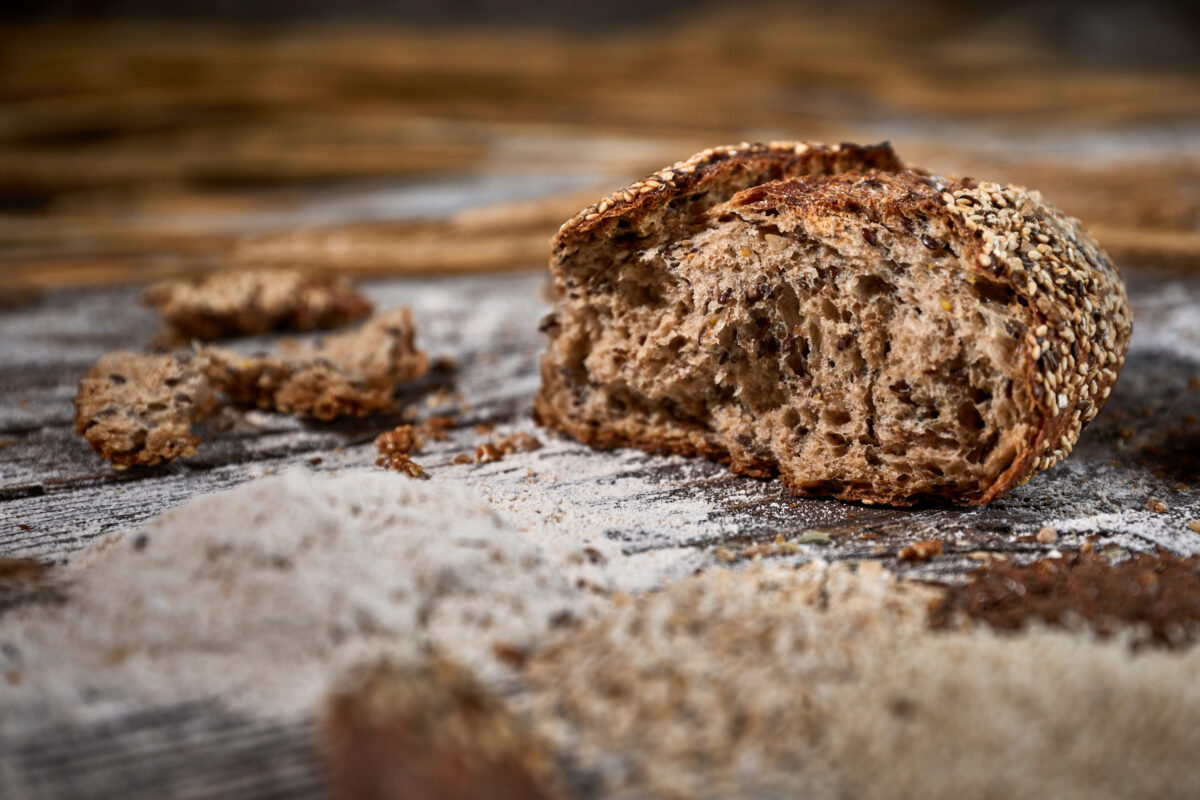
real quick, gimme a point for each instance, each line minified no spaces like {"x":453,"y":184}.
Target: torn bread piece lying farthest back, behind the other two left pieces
{"x":248,"y":303}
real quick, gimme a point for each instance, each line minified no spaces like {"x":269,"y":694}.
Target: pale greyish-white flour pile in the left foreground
{"x":262,"y":594}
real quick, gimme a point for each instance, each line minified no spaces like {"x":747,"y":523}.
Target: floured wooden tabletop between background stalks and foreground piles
{"x":58,"y":496}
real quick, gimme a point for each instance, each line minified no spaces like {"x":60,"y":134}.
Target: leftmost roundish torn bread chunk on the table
{"x":139,"y":410}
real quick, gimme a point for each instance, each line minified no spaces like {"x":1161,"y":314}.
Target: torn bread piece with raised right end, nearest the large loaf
{"x":347,"y":375}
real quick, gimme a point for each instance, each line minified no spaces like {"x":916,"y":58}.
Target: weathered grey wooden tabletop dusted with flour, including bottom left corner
{"x":653,"y":520}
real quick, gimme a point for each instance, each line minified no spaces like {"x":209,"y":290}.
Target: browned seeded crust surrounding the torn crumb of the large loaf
{"x":1079,"y":321}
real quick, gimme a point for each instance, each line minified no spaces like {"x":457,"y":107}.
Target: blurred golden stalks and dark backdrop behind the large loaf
{"x":146,"y":139}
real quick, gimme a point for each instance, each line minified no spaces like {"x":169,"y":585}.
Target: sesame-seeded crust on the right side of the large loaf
{"x":1081,"y":322}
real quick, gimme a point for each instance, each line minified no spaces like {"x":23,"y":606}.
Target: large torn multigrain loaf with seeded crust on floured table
{"x":867,"y":332}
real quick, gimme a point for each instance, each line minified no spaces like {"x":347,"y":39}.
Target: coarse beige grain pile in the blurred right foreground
{"x":827,"y":683}
